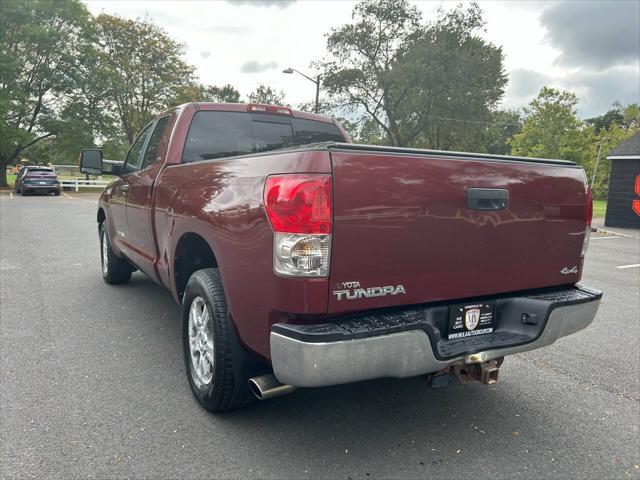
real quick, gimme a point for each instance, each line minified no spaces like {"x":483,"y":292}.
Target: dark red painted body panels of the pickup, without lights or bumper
{"x":397,"y":219}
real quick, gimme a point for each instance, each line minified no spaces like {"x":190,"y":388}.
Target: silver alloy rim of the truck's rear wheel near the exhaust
{"x":200,"y":343}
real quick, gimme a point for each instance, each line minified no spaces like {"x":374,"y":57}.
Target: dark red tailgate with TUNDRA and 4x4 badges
{"x":403,"y":231}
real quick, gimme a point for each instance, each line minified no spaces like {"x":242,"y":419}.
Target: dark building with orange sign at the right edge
{"x":623,"y":204}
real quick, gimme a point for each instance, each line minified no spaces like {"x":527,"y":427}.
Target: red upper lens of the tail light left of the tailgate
{"x":299,"y":203}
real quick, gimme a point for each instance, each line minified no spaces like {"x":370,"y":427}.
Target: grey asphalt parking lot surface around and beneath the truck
{"x":92,"y":384}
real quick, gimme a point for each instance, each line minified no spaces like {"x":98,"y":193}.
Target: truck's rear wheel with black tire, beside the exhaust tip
{"x":222,"y":384}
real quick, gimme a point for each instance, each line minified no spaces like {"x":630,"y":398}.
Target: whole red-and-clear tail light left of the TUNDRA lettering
{"x":299,"y":209}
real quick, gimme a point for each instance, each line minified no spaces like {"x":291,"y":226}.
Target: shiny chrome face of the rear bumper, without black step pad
{"x":403,"y":354}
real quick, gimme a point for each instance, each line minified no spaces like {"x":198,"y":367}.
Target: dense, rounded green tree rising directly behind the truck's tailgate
{"x":455,"y":80}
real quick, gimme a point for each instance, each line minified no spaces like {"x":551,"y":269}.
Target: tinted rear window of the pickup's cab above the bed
{"x":224,"y":134}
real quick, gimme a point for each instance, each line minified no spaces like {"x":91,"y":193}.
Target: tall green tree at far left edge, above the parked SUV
{"x":40,"y":44}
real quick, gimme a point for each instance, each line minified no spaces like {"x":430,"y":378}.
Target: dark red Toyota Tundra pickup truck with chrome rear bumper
{"x":303,"y":260}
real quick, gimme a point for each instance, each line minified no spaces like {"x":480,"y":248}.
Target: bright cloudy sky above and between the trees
{"x":589,"y":47}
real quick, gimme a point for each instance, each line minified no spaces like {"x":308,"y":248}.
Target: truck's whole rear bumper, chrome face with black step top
{"x":412,"y":341}
